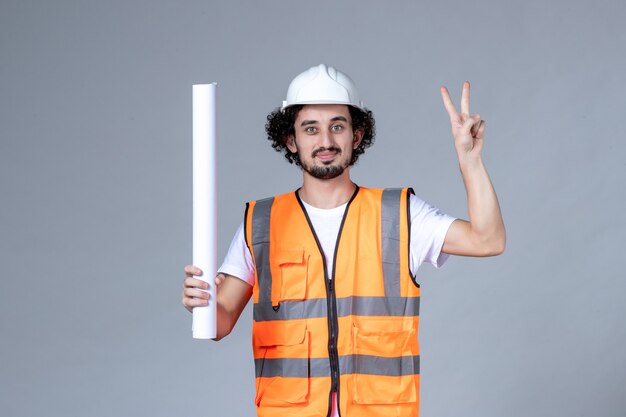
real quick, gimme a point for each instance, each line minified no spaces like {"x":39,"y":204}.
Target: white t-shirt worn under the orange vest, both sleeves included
{"x":428,"y":231}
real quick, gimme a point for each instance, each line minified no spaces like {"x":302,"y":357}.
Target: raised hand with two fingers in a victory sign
{"x":467,"y":130}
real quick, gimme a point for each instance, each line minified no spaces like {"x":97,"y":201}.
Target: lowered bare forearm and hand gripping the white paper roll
{"x":232,"y":296}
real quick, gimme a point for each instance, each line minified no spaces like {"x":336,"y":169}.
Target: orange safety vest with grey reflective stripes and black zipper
{"x":354,"y":332}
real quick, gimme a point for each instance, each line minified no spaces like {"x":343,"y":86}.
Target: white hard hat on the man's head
{"x":322,"y":85}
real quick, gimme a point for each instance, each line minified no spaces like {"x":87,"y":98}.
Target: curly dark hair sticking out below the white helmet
{"x":280,"y":125}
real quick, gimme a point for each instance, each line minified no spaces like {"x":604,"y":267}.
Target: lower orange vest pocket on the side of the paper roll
{"x":283,"y":372}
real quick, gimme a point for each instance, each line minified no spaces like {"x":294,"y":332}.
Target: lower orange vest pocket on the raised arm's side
{"x":384,"y":365}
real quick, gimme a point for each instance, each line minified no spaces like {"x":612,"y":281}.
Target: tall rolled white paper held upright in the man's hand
{"x":205,"y":204}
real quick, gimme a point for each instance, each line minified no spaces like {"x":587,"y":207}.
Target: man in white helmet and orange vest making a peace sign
{"x":331,"y":267}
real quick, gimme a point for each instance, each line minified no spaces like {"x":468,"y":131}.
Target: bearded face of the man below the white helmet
{"x":324,"y":139}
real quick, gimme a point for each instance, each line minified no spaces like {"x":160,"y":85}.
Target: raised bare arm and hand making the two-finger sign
{"x":484,"y":233}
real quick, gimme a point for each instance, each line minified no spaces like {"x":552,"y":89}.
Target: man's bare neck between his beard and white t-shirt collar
{"x":327,"y":194}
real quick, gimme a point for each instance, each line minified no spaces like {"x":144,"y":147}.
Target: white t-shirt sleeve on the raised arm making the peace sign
{"x":429,"y":226}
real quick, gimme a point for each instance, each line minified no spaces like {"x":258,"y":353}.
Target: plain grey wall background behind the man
{"x":95,"y":182}
